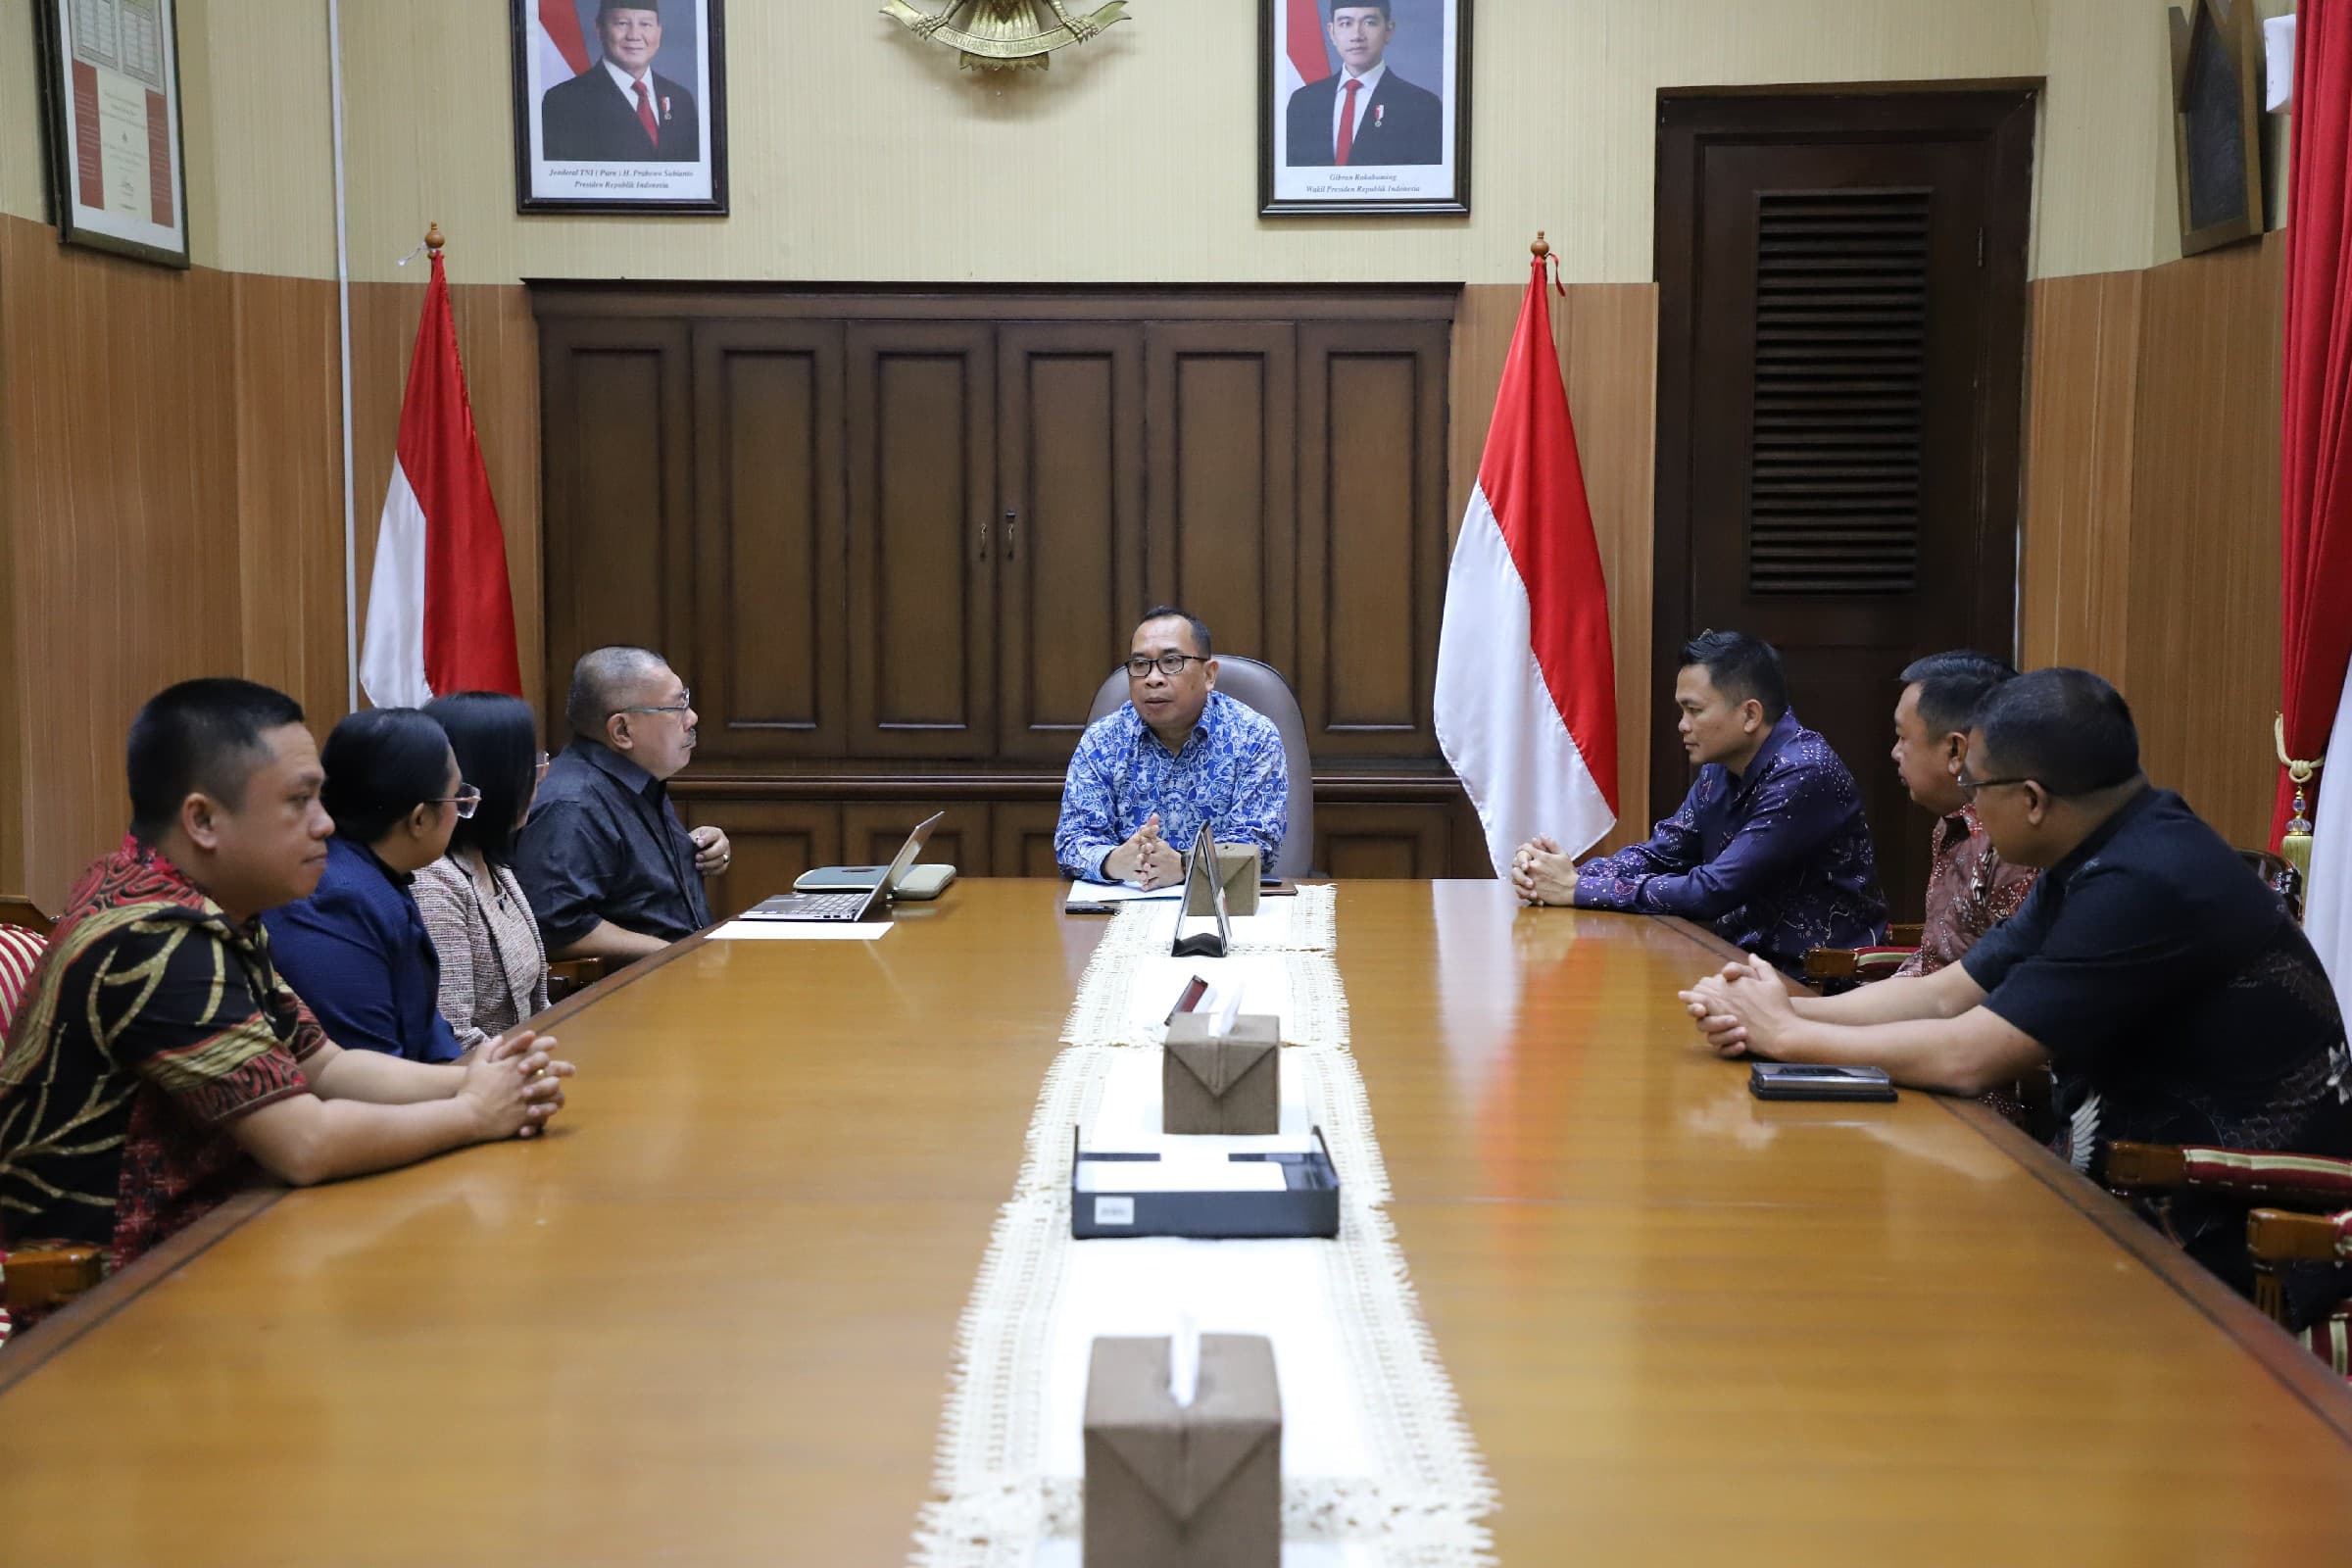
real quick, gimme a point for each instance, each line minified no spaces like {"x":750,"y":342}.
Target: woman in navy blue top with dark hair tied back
{"x":356,"y":949}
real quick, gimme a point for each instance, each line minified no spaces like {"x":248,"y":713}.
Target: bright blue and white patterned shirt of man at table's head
{"x":1229,"y":775}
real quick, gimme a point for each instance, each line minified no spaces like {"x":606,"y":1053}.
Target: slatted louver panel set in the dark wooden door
{"x":1840,"y":370}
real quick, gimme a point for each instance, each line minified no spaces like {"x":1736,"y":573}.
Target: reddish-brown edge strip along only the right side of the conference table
{"x":2304,"y":1376}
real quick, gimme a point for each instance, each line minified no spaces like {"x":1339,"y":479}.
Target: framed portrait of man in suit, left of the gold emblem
{"x":620,"y":107}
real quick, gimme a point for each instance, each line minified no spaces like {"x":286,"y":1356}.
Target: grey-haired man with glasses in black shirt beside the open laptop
{"x":608,"y":866}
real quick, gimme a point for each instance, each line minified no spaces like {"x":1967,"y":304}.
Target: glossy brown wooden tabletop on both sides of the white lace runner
{"x":711,"y":1320}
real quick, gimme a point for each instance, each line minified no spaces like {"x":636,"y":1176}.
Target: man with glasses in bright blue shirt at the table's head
{"x":1180,"y":753}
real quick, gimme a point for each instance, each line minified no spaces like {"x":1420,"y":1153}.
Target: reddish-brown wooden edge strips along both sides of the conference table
{"x":2280,"y":1355}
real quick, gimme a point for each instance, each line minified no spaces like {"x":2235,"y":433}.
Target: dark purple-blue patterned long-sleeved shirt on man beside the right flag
{"x":1775,"y":862}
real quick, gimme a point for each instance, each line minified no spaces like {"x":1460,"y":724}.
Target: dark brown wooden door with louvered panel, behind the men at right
{"x":1843,"y":342}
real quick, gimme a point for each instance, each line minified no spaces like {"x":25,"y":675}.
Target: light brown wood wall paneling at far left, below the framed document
{"x":121,"y":450}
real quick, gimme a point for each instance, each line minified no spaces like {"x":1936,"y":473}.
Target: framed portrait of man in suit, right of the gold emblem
{"x":1365,"y":107}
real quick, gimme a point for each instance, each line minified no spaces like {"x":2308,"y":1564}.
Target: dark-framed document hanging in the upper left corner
{"x":109,"y":93}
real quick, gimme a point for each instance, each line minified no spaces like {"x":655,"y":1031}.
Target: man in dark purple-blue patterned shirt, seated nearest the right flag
{"x":1770,"y":847}
